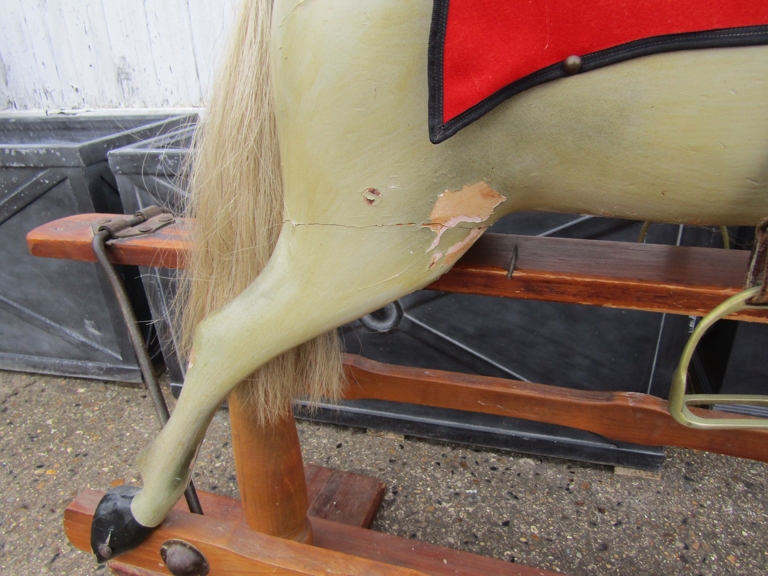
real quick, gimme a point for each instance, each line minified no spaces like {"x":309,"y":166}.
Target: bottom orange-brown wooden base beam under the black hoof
{"x":231,"y":548}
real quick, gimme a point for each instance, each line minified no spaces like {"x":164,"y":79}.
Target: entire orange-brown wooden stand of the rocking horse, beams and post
{"x":285,"y":507}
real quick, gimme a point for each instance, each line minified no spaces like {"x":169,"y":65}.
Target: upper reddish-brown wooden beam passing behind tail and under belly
{"x":656,"y":278}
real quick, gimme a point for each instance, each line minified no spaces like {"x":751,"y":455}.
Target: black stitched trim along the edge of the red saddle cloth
{"x":439,"y":131}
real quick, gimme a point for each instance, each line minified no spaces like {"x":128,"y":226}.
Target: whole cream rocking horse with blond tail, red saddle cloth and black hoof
{"x":354,"y":151}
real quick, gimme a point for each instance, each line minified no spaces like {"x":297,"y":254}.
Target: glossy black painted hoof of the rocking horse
{"x":114,"y":529}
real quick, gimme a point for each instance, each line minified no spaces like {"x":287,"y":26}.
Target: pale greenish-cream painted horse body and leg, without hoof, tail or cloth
{"x":375,"y":211}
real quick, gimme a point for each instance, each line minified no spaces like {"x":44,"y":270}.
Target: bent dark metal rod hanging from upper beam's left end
{"x":139,"y":347}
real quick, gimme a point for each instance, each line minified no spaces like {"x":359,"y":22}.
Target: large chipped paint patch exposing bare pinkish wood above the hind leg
{"x":473,"y":203}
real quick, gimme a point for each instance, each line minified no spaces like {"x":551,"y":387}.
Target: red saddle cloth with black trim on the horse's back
{"x":481,"y":52}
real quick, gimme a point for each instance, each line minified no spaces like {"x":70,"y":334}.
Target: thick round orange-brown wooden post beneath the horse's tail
{"x":270,"y":474}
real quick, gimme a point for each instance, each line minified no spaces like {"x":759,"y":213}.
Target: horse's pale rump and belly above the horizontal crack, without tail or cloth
{"x":680,"y":136}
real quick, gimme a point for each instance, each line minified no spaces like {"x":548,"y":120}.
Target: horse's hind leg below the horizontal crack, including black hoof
{"x":319,"y":277}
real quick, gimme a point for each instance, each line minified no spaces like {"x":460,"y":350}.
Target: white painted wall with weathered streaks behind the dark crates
{"x":65,"y":54}
